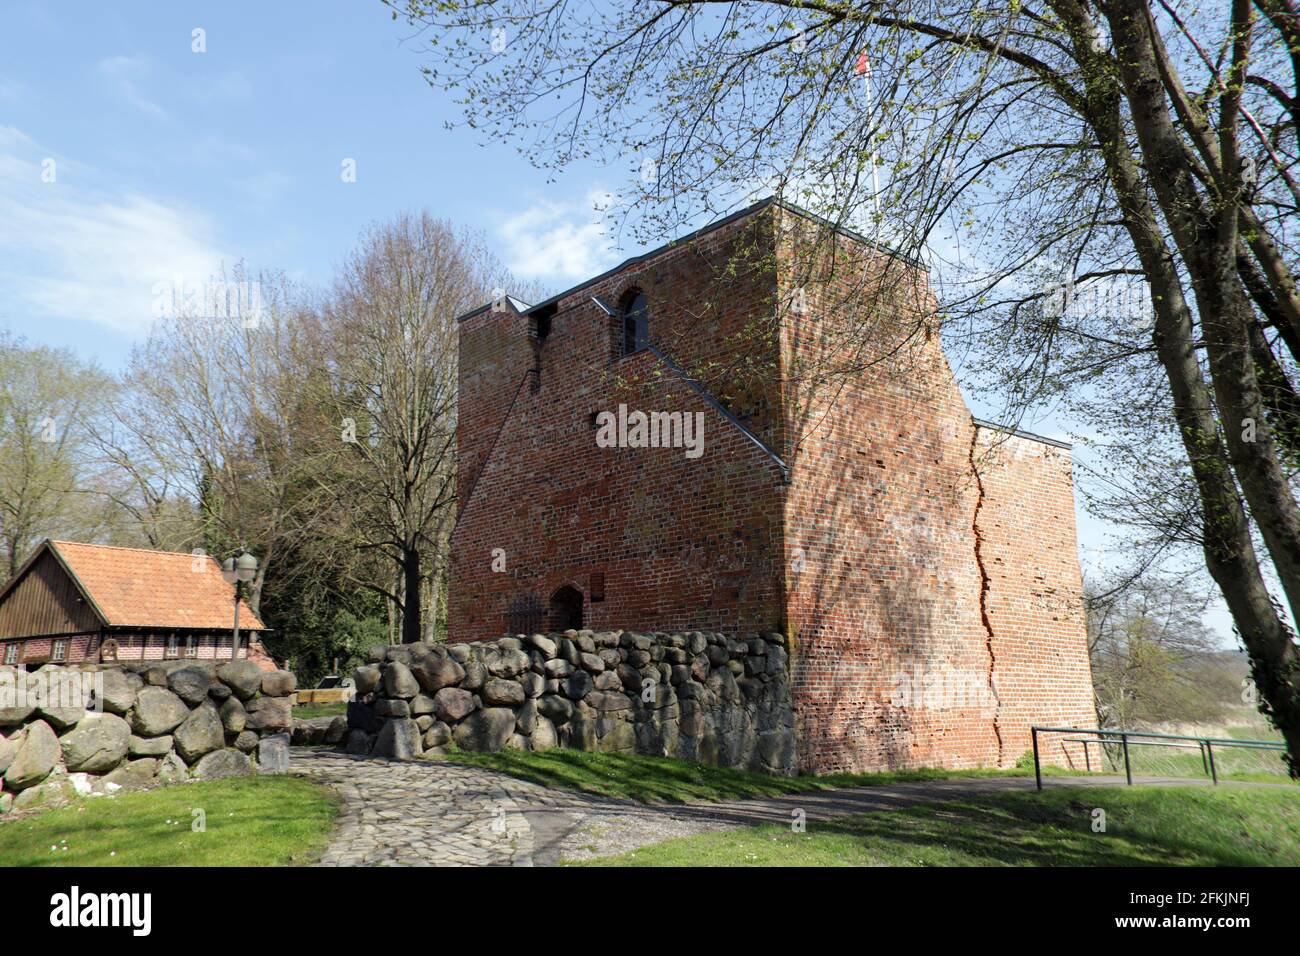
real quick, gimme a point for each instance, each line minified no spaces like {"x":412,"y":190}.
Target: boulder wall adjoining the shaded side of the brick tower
{"x":709,"y":698}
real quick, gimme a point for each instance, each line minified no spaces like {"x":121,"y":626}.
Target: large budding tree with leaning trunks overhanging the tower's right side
{"x":1061,"y":145}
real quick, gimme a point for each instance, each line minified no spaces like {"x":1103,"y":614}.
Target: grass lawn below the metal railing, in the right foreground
{"x":1146,"y":827}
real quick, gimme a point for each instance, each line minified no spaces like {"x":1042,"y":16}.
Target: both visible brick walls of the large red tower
{"x":868,"y":560}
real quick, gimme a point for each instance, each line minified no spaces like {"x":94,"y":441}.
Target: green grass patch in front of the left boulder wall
{"x":258,"y":821}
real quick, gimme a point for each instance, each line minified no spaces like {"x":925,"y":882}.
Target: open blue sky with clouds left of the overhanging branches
{"x":171,"y":163}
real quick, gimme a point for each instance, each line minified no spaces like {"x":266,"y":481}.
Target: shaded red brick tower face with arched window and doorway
{"x":682,"y":543}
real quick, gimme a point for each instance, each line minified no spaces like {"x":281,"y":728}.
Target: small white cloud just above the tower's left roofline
{"x":558,"y":241}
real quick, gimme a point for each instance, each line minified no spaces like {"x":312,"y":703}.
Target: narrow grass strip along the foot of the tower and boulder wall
{"x":662,"y":780}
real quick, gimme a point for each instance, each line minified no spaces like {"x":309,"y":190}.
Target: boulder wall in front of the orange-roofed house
{"x":146,"y":724}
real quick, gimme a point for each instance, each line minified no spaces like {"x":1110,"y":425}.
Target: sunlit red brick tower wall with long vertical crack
{"x":894,"y":665}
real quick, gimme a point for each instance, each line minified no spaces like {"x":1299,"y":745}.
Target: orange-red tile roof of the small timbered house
{"x":132,"y":587}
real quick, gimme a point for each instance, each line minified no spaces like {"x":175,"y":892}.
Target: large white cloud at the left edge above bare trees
{"x":71,"y":254}
